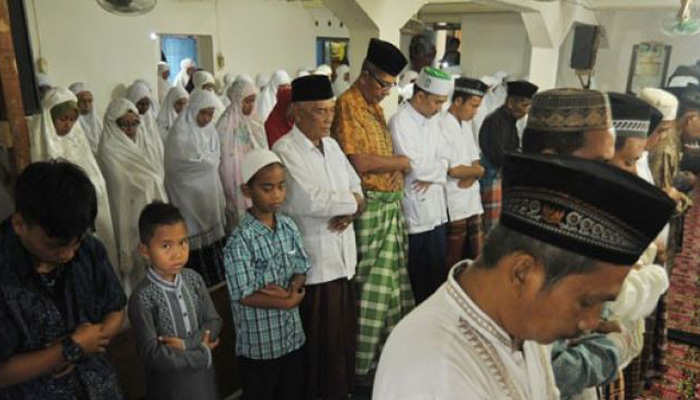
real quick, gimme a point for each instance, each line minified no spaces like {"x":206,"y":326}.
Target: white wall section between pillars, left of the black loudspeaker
{"x":494,"y":42}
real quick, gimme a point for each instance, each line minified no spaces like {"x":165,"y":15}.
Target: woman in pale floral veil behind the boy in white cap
{"x":240,"y":131}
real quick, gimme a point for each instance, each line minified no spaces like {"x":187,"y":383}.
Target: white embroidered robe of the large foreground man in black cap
{"x":449,"y":349}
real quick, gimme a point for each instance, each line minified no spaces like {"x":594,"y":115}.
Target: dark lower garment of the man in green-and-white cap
{"x":427,"y":255}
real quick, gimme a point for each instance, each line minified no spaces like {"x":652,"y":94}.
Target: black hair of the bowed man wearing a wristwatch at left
{"x":57,"y":196}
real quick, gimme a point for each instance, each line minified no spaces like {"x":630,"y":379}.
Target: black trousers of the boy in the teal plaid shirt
{"x":278,"y":379}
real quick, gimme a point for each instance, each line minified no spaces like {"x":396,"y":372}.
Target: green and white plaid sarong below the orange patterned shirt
{"x":383,"y":288}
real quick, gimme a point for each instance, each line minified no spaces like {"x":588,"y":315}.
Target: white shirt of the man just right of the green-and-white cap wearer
{"x":459,"y":143}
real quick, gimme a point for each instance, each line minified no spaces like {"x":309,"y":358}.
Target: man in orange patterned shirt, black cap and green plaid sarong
{"x":383,"y":287}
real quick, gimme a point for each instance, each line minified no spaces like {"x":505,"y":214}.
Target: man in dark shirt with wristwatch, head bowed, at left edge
{"x":60,"y":300}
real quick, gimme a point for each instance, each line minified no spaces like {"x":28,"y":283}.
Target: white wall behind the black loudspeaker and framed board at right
{"x":625,"y":29}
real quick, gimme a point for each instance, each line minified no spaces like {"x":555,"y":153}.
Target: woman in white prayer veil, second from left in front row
{"x":132,"y":183}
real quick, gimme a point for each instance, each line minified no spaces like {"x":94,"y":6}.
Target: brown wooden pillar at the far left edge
{"x":14,"y":134}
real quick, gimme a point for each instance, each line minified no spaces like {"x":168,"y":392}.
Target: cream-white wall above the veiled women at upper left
{"x":83,"y":42}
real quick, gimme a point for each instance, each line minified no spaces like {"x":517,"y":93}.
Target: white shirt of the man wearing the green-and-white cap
{"x":419,"y":139}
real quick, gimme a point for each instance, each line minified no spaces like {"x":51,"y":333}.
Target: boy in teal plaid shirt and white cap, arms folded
{"x":266,"y":268}
